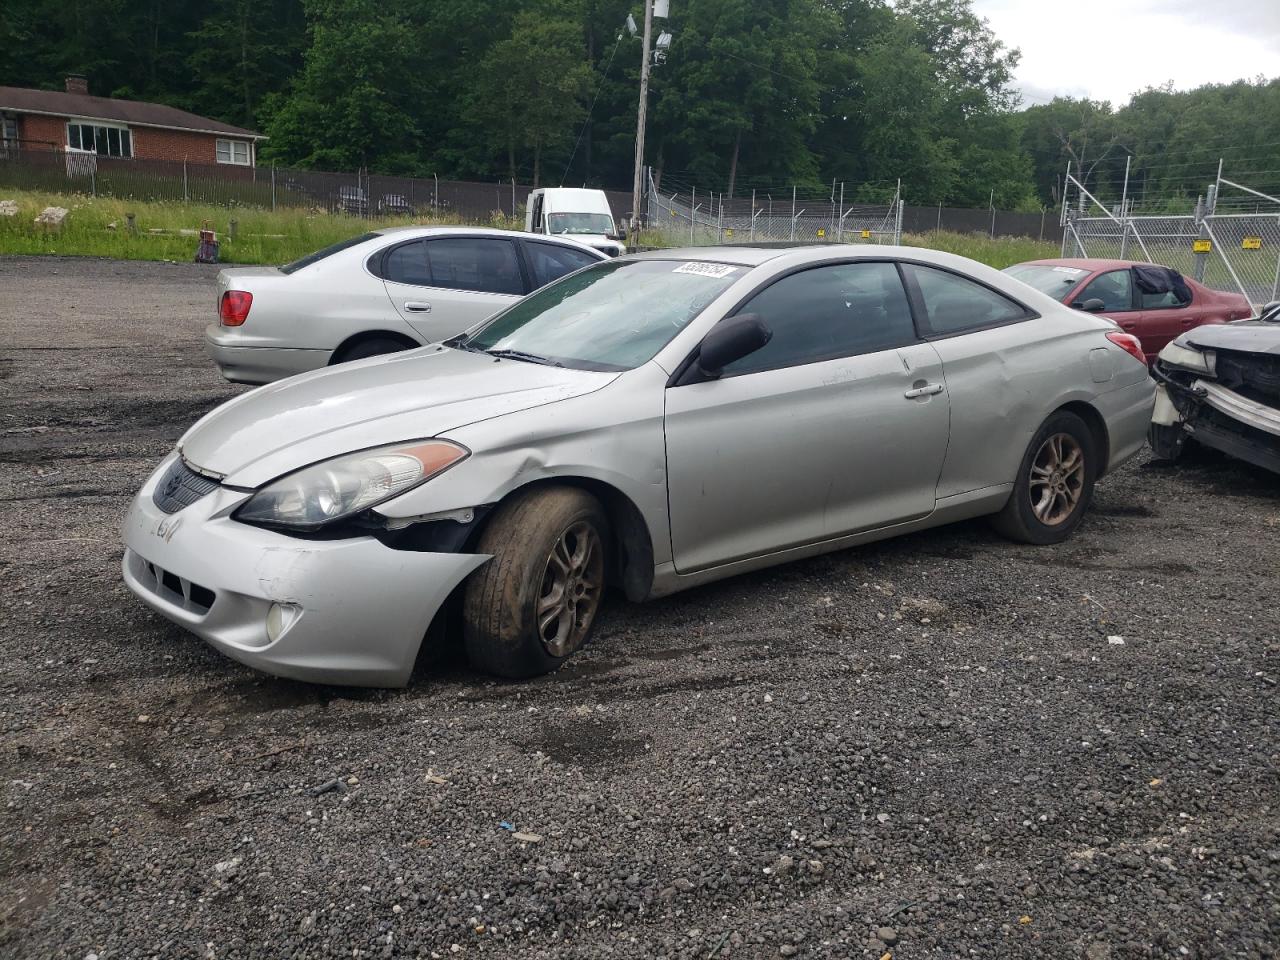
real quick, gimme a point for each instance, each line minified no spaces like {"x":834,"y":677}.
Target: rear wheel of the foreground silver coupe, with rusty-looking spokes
{"x":1054,"y":486}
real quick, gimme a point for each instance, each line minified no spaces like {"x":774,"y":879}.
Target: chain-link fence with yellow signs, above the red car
{"x":1229,"y":243}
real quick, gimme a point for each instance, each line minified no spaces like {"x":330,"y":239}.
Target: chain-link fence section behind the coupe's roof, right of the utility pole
{"x":680,"y":216}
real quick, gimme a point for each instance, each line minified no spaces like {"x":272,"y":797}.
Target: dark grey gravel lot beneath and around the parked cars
{"x":934,"y":747}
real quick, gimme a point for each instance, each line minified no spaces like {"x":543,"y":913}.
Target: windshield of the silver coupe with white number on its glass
{"x":610,"y":317}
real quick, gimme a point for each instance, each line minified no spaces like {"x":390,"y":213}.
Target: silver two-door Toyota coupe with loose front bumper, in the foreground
{"x":651,"y":423}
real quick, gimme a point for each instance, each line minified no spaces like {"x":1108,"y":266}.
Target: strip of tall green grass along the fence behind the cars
{"x":99,"y":227}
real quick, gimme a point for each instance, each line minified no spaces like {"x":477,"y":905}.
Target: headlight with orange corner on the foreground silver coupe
{"x":344,"y":487}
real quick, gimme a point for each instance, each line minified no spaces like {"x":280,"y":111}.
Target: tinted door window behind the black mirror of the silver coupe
{"x":828,"y":313}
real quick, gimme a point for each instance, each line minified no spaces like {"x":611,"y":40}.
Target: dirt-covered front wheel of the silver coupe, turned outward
{"x":534,"y":605}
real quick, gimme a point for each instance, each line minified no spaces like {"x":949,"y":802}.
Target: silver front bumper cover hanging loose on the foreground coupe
{"x":355,"y":611}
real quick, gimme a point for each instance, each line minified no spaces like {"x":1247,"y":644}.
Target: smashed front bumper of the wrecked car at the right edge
{"x":1190,"y":406}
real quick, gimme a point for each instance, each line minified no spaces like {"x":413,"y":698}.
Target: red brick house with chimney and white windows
{"x":52,"y":120}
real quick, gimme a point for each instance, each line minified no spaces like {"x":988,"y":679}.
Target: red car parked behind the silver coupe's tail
{"x":1153,"y":303}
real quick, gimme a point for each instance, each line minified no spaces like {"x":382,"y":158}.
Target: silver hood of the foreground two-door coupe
{"x":303,"y":420}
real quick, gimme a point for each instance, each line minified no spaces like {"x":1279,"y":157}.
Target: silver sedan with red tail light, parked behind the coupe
{"x":377,"y":294}
